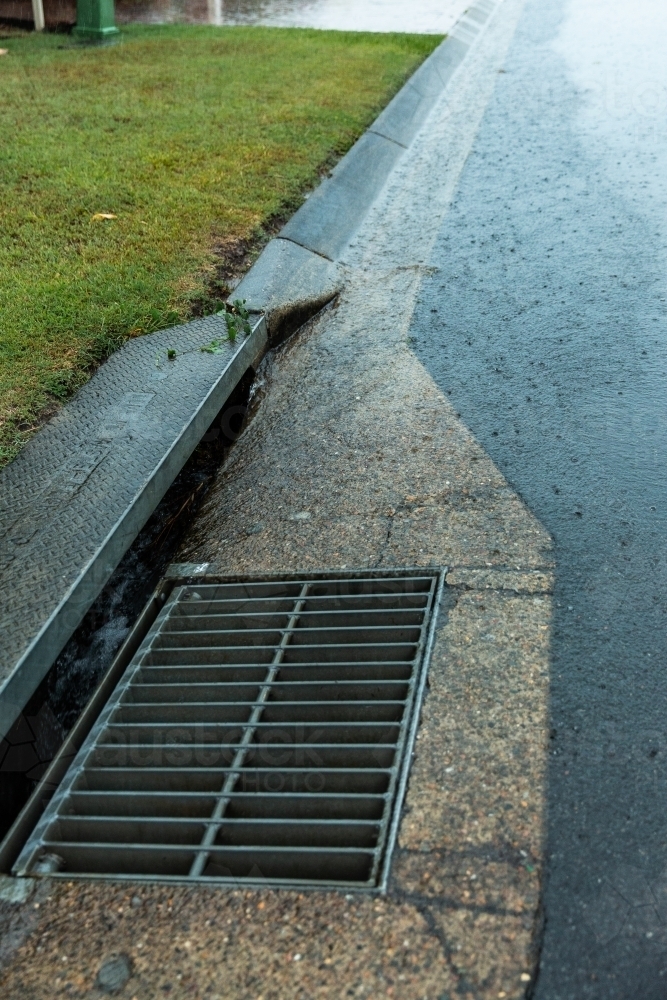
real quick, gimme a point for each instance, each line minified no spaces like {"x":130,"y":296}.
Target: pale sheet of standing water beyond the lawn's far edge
{"x":422,"y":16}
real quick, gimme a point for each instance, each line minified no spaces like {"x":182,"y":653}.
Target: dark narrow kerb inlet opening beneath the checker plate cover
{"x":57,"y":704}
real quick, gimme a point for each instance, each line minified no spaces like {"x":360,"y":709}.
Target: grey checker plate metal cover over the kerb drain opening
{"x":78,"y":494}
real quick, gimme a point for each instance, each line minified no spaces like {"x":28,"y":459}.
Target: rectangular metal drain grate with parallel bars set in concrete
{"x":261,"y":734}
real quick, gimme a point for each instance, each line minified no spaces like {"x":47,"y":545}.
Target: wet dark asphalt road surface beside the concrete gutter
{"x":545,"y":324}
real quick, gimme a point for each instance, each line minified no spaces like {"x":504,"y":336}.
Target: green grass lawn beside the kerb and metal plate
{"x":194,"y":138}
